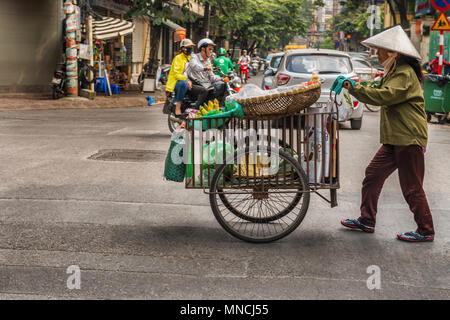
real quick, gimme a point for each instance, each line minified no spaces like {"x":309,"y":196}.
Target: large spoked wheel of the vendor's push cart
{"x":261,"y":211}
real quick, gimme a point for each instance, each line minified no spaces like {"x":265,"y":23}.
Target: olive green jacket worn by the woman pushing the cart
{"x":403,"y":120}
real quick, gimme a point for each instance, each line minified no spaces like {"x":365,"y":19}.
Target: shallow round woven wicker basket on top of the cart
{"x":288,"y":102}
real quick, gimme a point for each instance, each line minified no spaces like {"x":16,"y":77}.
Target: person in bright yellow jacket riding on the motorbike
{"x":177,"y":80}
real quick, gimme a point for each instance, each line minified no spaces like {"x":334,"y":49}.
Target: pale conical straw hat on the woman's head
{"x":393,"y":39}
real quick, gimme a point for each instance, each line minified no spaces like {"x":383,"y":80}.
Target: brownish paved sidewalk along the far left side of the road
{"x":33,"y":101}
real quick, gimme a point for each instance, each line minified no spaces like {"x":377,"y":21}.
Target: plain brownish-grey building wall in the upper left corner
{"x":31,"y":46}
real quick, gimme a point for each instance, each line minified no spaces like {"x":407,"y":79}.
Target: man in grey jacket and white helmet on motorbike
{"x":200,"y":71}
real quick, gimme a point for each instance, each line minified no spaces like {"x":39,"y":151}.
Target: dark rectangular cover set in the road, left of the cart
{"x":129,"y":155}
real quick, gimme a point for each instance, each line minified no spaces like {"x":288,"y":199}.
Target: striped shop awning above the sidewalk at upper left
{"x":109,"y":28}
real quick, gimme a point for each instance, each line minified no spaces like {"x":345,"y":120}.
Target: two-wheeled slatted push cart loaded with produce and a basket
{"x":260,"y":170}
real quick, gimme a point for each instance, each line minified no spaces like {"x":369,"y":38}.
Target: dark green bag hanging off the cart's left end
{"x":175,"y":168}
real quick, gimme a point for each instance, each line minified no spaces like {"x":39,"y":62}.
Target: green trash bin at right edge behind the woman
{"x":436,"y":91}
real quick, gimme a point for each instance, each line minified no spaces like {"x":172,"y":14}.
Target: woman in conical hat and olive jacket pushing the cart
{"x":403,"y":132}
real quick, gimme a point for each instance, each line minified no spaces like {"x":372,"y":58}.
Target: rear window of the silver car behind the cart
{"x":322,"y":63}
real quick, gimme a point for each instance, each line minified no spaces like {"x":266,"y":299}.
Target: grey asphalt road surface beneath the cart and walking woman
{"x":134,"y":235}
